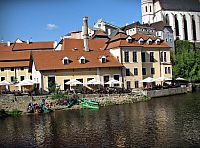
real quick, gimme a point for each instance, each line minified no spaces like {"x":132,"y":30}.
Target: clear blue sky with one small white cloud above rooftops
{"x":48,"y":20}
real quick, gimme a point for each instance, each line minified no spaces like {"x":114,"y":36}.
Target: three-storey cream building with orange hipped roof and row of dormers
{"x":142,"y":56}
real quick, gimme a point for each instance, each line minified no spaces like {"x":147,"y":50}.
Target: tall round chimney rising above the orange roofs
{"x":85,"y":33}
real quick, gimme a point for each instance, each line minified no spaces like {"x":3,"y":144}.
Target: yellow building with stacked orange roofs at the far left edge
{"x":15,"y":59}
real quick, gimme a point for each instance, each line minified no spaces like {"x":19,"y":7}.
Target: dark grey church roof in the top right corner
{"x":180,"y":5}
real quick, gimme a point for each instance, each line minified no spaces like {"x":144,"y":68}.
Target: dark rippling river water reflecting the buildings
{"x":161,"y":122}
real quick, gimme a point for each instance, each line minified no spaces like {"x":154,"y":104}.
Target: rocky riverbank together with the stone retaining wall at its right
{"x":20,"y":103}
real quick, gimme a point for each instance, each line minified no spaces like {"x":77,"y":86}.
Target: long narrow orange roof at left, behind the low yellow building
{"x":33,"y":46}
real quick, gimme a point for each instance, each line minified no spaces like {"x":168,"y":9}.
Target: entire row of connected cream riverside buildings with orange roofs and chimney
{"x":126,"y":58}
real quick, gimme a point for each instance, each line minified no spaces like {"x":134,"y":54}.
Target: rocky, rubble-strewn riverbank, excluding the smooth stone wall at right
{"x":20,"y":103}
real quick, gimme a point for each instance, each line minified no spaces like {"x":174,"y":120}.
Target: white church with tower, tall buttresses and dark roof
{"x":182,"y":15}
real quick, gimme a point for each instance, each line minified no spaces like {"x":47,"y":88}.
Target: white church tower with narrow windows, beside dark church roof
{"x":147,"y":11}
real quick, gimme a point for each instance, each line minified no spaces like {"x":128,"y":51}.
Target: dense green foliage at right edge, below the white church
{"x":186,"y":61}
